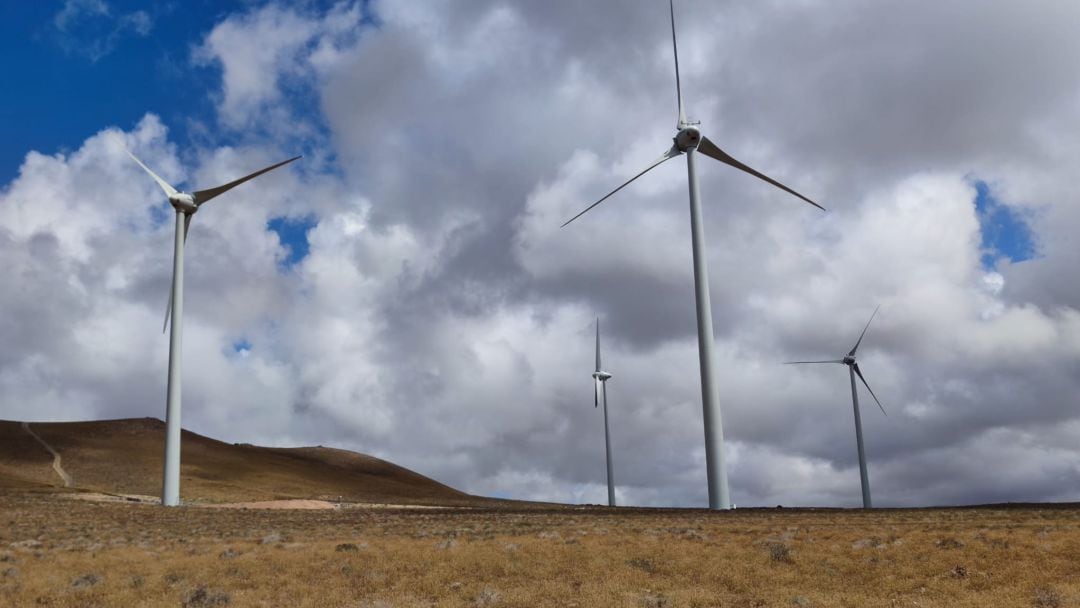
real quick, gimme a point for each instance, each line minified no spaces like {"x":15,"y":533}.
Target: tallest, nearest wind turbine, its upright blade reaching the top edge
{"x":688,"y":140}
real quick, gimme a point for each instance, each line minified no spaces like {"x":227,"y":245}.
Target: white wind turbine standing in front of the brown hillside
{"x":186,"y":206}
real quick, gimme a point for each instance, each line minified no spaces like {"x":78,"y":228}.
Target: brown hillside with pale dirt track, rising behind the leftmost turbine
{"x":127,"y":456}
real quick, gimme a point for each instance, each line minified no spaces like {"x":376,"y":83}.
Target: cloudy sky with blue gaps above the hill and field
{"x":406,"y":290}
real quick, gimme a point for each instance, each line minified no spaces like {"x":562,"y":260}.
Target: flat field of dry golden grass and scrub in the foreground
{"x":57,"y":551}
